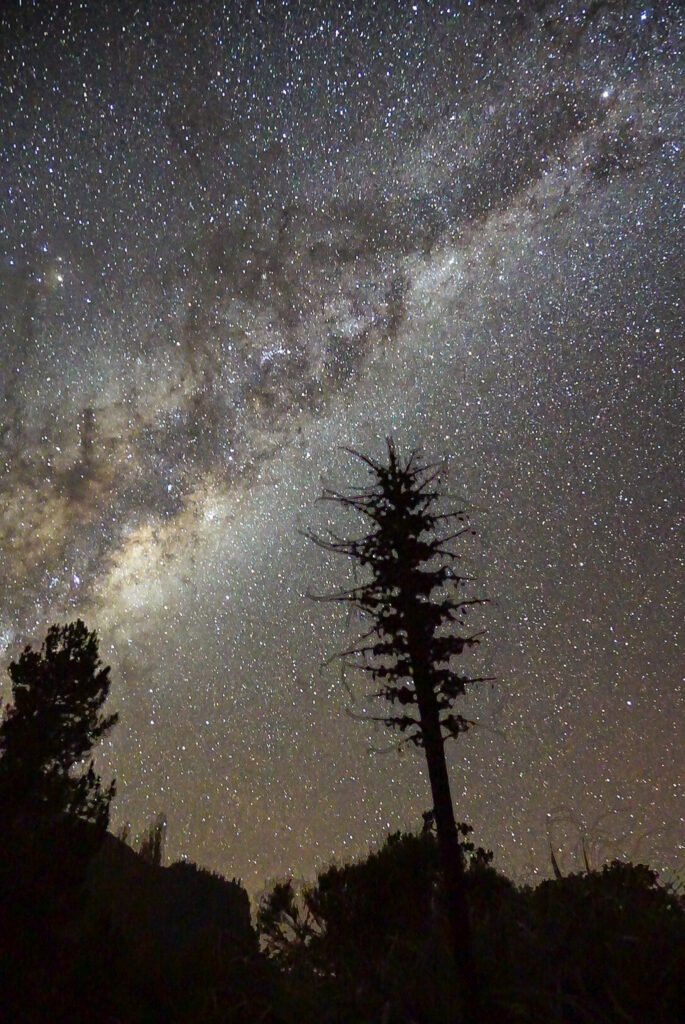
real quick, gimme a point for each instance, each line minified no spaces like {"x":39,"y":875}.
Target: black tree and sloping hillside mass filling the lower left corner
{"x":90,"y":930}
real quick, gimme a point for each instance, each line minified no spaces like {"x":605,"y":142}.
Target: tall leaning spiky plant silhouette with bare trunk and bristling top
{"x":414,"y":600}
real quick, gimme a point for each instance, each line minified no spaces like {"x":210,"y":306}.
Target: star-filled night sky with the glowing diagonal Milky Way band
{"x":235,"y":237}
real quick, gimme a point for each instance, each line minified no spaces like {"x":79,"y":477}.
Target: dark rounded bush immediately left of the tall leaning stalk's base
{"x":370,"y":937}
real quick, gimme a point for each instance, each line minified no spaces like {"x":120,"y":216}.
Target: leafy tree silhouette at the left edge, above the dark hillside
{"x":52,"y":727}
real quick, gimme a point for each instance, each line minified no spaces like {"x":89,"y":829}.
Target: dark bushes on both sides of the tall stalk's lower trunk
{"x":372,"y":945}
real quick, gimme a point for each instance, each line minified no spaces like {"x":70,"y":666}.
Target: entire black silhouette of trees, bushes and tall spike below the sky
{"x":95,"y":931}
